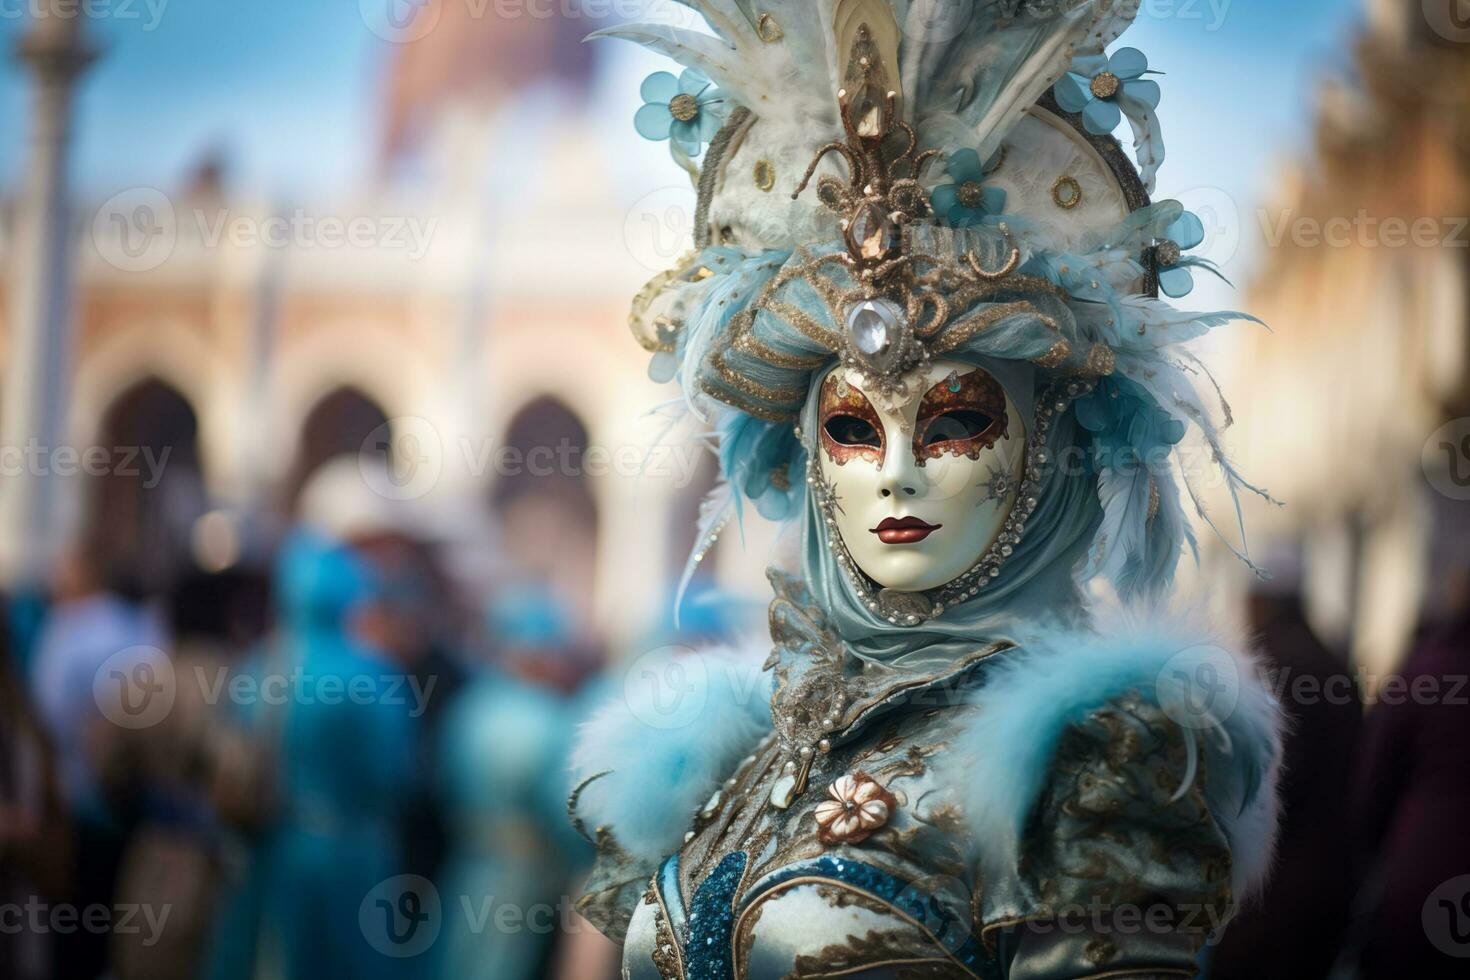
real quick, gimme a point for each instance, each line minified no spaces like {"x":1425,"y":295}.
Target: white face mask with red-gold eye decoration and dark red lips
{"x":922,"y":486}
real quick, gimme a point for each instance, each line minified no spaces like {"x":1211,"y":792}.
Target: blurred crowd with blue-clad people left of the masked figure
{"x":329,"y":766}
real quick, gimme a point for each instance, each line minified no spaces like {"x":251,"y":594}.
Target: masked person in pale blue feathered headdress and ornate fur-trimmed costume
{"x":924,"y":323}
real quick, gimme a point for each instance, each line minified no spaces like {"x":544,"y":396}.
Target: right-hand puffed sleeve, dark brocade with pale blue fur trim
{"x":1134,"y":810}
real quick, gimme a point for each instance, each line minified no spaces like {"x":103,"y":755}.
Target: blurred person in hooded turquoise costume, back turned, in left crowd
{"x":340,"y":768}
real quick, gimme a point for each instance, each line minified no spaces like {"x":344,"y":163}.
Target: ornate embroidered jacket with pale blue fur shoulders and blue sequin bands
{"x":1031,"y":812}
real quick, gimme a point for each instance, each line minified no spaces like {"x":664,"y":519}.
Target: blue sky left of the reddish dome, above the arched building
{"x":284,"y":87}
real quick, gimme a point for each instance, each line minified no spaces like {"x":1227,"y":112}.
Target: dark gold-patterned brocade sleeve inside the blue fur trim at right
{"x":1122,"y":862}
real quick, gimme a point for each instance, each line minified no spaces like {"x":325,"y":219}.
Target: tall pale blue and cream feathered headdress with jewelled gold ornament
{"x":886,"y":181}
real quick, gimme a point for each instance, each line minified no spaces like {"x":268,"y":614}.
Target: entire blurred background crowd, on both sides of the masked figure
{"x":334,"y":766}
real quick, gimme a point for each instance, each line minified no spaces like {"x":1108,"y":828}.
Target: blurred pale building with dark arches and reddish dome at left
{"x":474,"y":331}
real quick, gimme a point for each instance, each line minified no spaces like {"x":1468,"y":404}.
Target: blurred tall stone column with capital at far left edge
{"x":36,"y":384}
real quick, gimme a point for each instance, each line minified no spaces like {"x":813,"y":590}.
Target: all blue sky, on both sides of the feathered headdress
{"x":289,"y":92}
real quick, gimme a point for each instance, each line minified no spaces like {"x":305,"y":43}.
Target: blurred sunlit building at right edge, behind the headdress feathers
{"x":1366,"y":281}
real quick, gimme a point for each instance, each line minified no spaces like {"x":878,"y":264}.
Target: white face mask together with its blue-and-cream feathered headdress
{"x":900,"y":331}
